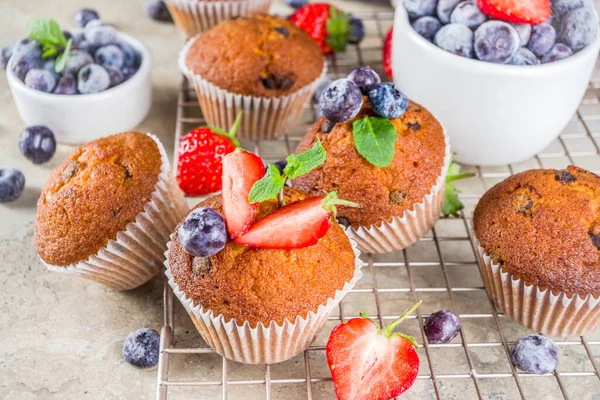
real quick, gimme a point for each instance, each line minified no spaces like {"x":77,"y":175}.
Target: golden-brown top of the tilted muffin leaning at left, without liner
{"x":93,"y":195}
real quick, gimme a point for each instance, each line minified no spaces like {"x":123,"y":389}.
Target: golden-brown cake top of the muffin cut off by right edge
{"x":543,"y":226}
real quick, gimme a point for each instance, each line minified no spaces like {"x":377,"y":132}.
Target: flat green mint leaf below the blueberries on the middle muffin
{"x":375,"y":140}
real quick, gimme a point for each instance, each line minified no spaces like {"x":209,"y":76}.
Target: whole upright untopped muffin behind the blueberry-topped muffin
{"x":261,"y":65}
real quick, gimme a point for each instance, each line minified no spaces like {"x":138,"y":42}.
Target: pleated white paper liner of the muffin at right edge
{"x":554,"y":314}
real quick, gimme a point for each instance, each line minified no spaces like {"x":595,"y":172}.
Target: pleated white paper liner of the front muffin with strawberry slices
{"x":264,"y":344}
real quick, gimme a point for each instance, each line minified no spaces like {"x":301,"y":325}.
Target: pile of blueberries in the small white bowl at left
{"x":97,"y":61}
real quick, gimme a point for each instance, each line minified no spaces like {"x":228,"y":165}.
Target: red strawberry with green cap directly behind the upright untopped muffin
{"x":327,"y":25}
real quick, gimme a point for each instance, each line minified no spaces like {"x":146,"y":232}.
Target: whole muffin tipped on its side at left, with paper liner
{"x":106,"y":212}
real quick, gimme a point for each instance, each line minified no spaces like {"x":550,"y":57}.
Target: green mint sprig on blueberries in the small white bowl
{"x":47,"y":33}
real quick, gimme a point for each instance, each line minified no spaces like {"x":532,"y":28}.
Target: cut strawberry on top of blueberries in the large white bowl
{"x":530,"y":12}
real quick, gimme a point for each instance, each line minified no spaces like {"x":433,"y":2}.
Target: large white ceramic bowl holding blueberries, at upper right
{"x":494,"y":114}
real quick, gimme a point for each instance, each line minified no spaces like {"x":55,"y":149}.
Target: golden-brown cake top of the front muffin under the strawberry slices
{"x":263,"y":285}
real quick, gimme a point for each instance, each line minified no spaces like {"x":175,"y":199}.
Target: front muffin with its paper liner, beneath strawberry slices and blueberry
{"x":257,"y":305}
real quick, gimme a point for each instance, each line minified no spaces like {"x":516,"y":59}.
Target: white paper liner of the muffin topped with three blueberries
{"x":402,"y":231}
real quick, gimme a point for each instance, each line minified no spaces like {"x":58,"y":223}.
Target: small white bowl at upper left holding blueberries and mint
{"x":84,"y":117}
